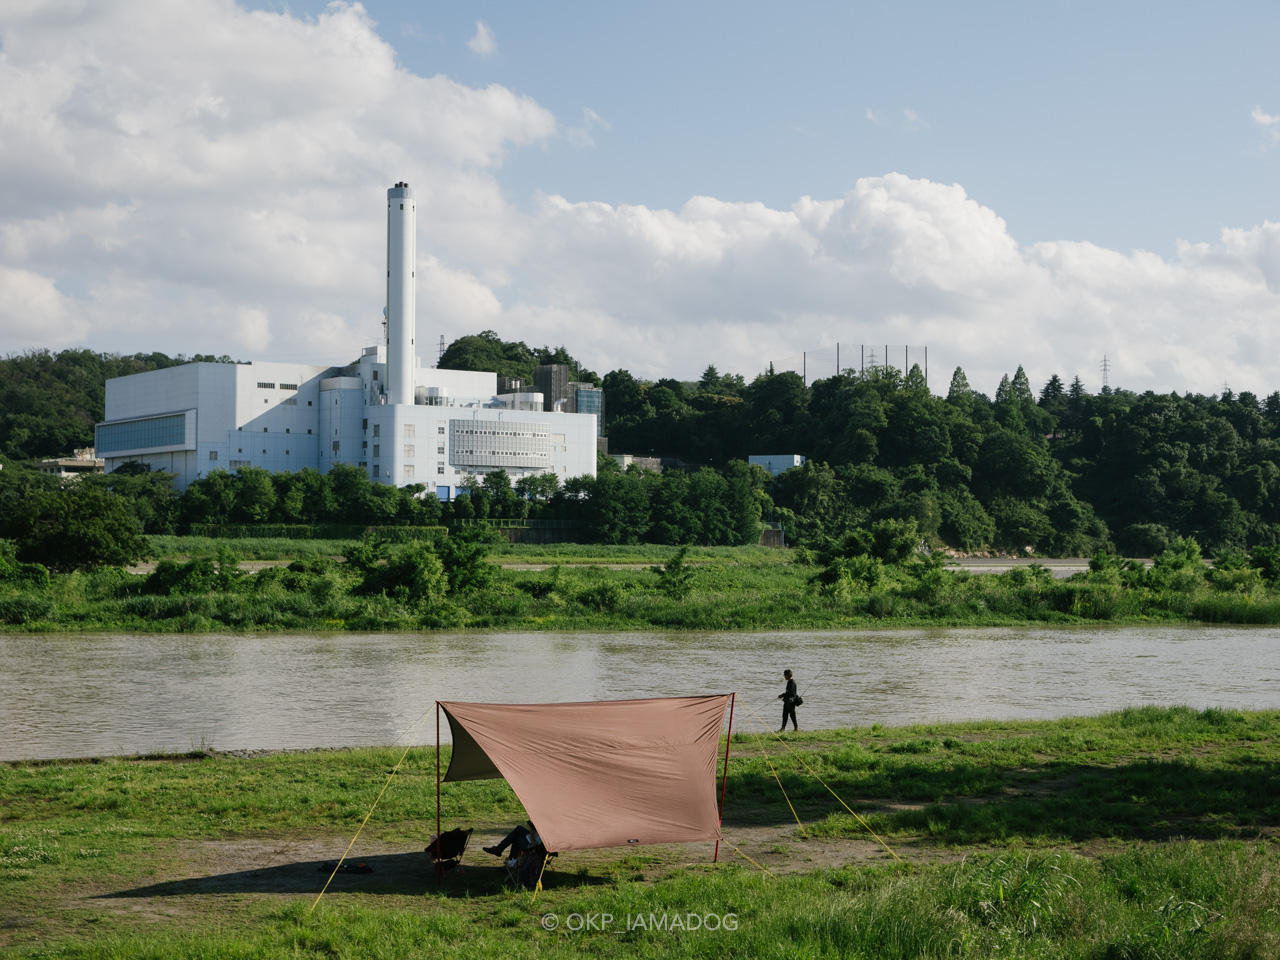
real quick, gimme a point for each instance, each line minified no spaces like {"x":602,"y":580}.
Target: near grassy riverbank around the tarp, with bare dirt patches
{"x":1150,"y":833}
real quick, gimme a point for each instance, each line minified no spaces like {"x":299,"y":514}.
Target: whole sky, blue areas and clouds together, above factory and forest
{"x":657,"y":188}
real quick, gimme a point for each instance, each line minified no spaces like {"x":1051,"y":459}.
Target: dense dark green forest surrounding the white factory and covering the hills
{"x":1062,"y":472}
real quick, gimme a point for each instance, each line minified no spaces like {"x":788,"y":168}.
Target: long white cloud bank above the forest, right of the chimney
{"x":899,"y":260}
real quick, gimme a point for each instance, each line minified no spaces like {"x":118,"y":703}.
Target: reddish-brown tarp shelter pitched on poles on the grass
{"x":607,"y":774}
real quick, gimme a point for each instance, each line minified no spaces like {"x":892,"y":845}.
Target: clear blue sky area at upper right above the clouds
{"x":1124,"y":125}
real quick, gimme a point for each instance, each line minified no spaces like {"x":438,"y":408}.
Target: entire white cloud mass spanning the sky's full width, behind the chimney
{"x":202,"y":179}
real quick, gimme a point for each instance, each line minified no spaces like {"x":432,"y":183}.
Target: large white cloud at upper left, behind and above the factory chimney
{"x":208,"y":180}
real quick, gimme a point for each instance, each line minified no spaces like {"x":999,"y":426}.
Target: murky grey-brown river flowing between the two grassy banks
{"x":95,"y":696}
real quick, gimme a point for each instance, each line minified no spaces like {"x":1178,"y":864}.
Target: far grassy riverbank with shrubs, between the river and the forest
{"x":333,"y":586}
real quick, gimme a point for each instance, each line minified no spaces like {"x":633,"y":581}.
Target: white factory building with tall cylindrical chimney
{"x":399,"y":422}
